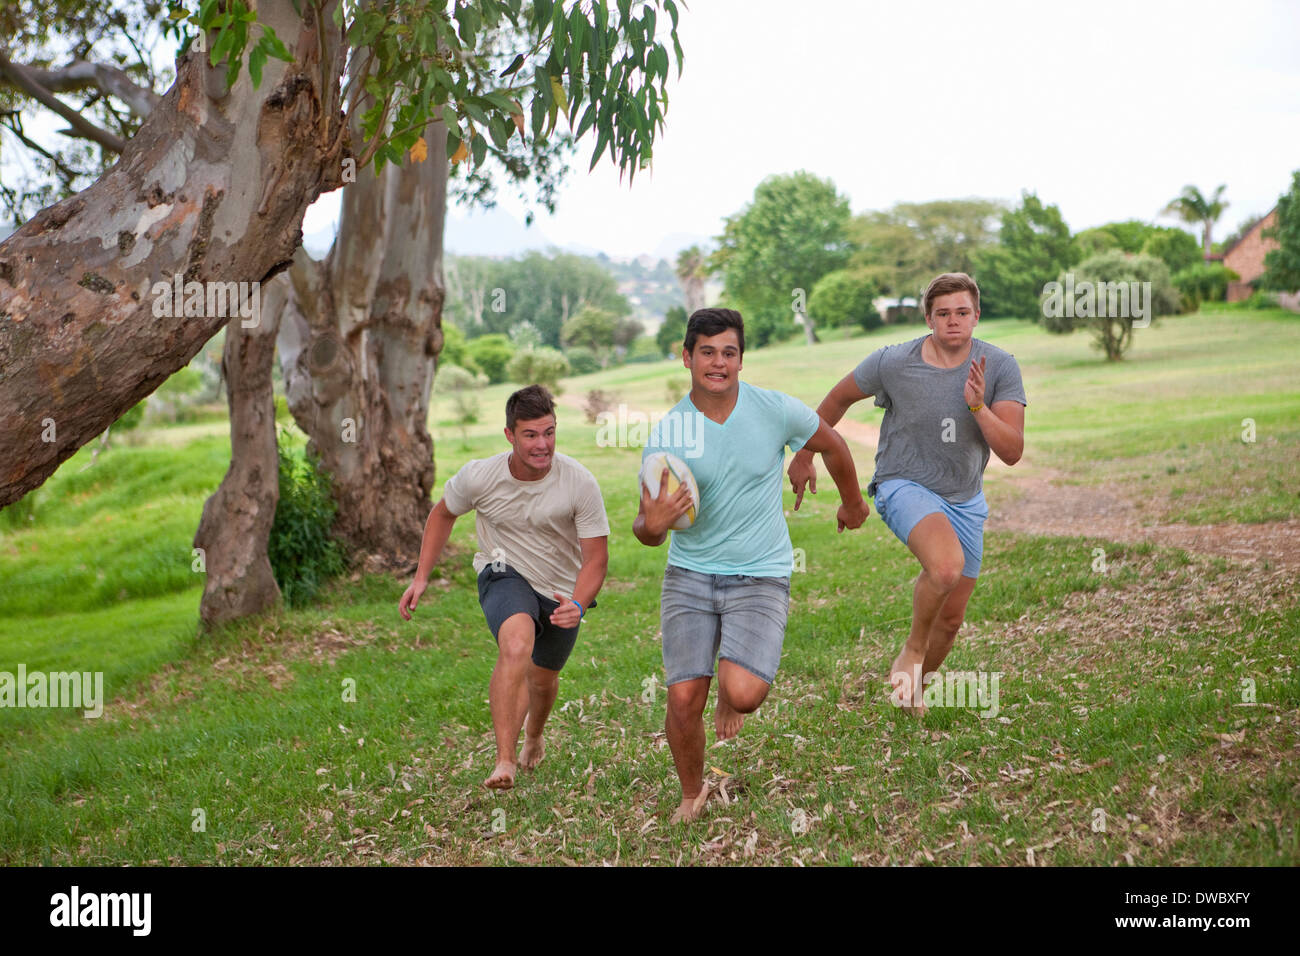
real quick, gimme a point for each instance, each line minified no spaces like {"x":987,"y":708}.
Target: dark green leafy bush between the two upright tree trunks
{"x":304,"y":555}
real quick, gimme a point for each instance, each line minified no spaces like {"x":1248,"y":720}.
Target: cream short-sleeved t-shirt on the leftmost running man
{"x":531,"y":526}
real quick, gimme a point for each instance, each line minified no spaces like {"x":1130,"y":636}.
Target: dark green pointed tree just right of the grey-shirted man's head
{"x":1034,"y":245}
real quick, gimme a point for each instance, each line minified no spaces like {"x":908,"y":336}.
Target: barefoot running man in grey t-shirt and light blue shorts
{"x":948,"y":400}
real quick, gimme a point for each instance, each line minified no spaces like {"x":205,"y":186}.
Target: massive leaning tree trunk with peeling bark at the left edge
{"x":211,"y":191}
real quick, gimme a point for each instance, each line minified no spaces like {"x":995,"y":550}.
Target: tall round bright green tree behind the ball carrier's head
{"x":785,"y":241}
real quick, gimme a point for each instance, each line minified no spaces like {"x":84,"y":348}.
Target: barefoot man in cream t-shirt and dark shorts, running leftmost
{"x":543,"y":533}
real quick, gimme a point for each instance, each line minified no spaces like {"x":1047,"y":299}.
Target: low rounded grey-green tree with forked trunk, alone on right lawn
{"x":1110,"y":319}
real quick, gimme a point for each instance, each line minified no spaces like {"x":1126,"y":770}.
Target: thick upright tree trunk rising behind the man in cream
{"x":358,"y":347}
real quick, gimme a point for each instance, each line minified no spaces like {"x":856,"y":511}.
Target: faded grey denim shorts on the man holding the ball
{"x":736,"y":618}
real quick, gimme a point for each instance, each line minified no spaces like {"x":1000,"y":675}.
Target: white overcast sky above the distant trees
{"x":1107,"y":110}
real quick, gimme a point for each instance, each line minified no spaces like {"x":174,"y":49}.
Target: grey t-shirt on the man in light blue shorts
{"x":929,"y":434}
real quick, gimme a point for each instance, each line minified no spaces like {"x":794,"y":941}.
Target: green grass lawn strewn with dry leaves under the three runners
{"x":1147,"y":715}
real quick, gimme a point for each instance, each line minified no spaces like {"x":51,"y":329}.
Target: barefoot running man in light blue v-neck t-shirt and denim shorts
{"x":727,"y":585}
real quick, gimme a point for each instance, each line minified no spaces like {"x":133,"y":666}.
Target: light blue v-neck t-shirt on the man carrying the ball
{"x":740,"y":529}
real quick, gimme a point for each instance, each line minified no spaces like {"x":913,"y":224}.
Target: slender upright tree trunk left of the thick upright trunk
{"x":236,"y":525}
